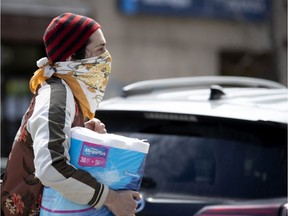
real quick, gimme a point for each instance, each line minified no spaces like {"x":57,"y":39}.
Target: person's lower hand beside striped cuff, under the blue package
{"x":122,"y":203}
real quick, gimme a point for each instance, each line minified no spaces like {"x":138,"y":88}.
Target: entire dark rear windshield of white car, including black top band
{"x":227,"y":160}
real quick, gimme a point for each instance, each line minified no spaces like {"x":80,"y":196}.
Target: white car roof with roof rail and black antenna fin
{"x":254,"y":100}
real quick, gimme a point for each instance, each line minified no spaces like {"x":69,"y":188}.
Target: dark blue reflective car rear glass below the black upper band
{"x":214,"y":167}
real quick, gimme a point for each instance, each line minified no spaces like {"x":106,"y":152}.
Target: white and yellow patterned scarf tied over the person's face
{"x":87,"y":78}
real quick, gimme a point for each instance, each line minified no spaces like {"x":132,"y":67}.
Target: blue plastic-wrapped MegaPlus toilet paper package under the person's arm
{"x":114,"y":160}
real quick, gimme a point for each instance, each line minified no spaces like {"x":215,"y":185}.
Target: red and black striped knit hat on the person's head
{"x":66,"y":34}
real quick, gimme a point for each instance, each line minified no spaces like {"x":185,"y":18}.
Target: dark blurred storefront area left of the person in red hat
{"x":23,"y":23}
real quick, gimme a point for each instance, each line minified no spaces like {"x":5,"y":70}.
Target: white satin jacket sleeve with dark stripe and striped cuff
{"x":49,"y":127}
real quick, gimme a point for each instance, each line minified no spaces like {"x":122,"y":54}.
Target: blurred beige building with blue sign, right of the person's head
{"x":165,"y":38}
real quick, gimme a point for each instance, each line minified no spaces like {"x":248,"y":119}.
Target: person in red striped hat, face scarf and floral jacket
{"x":67,"y":87}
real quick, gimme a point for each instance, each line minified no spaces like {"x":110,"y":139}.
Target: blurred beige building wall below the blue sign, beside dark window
{"x":148,"y":47}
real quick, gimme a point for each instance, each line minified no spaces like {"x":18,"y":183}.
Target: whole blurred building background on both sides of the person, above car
{"x":147,"y":39}
